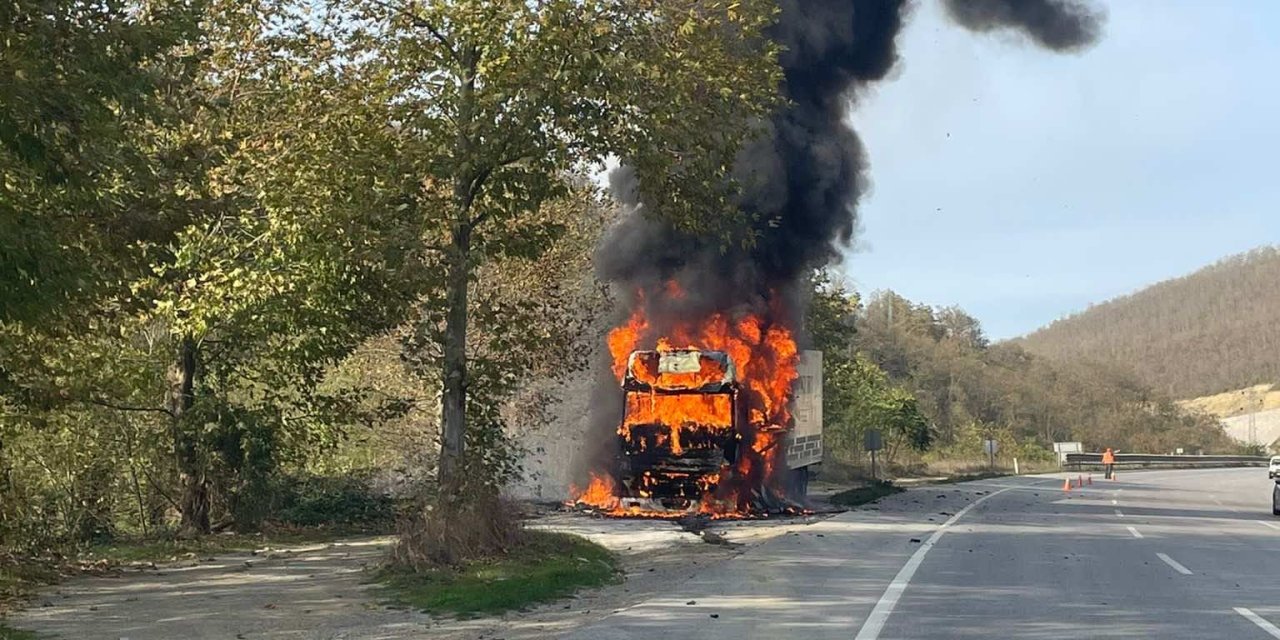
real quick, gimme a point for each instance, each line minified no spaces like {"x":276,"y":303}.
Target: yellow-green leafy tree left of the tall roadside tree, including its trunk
{"x":277,"y":266}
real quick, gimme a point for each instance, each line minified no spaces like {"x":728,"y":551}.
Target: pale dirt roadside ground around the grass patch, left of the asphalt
{"x":322,"y":592}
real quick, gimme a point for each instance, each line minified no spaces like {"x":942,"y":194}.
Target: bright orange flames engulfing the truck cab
{"x":765,"y":359}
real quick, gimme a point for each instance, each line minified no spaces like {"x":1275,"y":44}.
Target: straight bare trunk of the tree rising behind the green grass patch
{"x":455,"y":363}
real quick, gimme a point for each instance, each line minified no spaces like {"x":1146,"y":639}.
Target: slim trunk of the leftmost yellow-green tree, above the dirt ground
{"x":195,"y":504}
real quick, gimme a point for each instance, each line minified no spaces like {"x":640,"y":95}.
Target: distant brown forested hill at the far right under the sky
{"x":1209,"y":332}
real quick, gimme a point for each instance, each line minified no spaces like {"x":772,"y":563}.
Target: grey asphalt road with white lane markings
{"x":1169,"y":555}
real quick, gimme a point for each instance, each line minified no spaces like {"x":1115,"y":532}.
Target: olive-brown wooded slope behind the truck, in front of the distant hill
{"x":971,"y":390}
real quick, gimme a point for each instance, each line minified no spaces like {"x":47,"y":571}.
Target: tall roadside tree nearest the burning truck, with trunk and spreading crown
{"x":496,"y":103}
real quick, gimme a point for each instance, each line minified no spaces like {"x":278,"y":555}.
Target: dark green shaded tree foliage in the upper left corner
{"x":77,"y":79}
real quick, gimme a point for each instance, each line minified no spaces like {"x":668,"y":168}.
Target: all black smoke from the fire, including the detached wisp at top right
{"x":802,"y":179}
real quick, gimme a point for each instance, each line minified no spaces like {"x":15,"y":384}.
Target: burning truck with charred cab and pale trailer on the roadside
{"x":693,"y":438}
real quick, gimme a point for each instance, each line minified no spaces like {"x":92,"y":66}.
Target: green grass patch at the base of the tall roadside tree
{"x":547,"y":568}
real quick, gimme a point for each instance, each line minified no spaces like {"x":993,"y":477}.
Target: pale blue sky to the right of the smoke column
{"x":1023,"y":186}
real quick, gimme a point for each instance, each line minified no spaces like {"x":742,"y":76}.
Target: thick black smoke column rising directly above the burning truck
{"x":802,"y":180}
